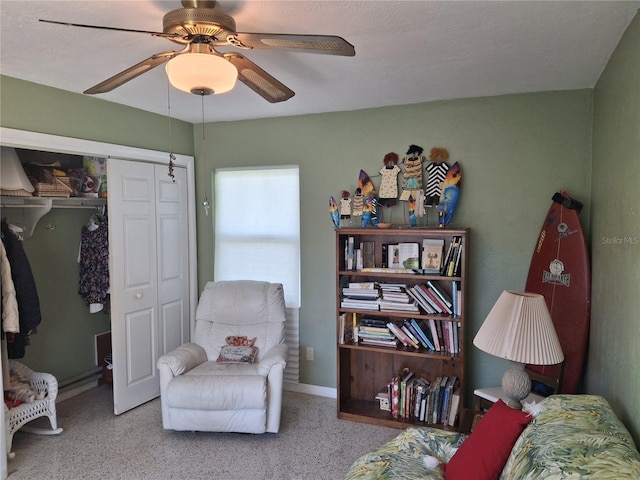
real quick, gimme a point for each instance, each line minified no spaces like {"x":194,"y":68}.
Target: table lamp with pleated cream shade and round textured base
{"x":519,"y":328}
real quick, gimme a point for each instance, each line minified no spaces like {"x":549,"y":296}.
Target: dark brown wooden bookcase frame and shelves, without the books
{"x":364,"y":370}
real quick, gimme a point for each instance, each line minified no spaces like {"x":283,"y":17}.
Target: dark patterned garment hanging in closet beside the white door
{"x":94,"y":264}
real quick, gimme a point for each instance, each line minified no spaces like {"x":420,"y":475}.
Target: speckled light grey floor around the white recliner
{"x":95,"y":444}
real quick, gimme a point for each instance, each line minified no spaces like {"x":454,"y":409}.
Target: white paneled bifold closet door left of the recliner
{"x":148,"y":243}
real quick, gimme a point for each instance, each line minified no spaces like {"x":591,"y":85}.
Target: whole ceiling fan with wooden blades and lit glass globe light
{"x":201,"y":28}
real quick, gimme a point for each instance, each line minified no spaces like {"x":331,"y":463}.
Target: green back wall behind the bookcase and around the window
{"x":515,"y":152}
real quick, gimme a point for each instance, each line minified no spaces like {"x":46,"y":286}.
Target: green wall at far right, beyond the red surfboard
{"x":614,"y":354}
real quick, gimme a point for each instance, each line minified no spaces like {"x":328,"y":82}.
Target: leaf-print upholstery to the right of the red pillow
{"x":576,"y":437}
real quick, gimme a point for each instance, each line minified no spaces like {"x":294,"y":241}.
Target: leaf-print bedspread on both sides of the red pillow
{"x":576,"y":437}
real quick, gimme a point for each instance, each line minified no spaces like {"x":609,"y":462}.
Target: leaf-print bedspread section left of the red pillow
{"x":402,"y":458}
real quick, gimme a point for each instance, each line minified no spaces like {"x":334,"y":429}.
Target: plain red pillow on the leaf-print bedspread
{"x":483,"y":454}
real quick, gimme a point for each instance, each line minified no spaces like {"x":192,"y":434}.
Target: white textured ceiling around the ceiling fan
{"x":406,"y":51}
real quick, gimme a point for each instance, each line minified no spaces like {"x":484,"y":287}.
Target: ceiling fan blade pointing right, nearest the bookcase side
{"x":325,"y":44}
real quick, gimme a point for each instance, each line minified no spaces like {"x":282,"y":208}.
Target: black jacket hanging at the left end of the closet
{"x":25,"y":291}
